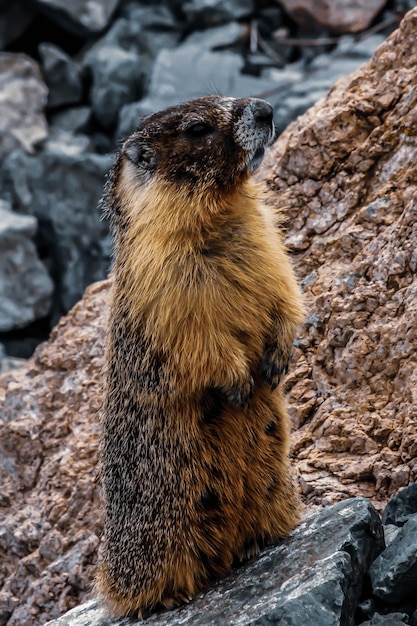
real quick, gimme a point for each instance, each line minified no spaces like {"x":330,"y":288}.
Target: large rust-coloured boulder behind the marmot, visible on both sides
{"x":346,"y":175}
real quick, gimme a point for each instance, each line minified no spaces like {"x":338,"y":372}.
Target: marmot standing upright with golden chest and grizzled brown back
{"x":203,"y":314}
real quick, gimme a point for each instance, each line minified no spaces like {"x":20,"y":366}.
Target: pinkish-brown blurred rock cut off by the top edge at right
{"x":341,"y":16}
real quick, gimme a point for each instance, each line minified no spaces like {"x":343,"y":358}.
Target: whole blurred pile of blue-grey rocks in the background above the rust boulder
{"x":76,"y":76}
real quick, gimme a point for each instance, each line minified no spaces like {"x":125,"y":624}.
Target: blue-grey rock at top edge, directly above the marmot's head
{"x":212,"y":12}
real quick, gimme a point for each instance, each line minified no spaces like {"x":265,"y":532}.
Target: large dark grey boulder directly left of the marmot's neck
{"x":61,"y":188}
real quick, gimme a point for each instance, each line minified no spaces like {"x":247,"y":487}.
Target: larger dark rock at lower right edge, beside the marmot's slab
{"x":394,"y":573}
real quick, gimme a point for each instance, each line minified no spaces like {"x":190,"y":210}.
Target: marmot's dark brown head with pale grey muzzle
{"x":211,"y":142}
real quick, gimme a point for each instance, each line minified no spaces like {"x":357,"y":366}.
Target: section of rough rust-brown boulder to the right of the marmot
{"x":346,"y":174}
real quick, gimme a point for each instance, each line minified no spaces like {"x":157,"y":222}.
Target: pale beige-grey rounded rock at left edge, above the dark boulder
{"x":23,"y":98}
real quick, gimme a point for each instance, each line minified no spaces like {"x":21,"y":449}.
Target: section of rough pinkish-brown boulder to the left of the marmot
{"x":49,"y":501}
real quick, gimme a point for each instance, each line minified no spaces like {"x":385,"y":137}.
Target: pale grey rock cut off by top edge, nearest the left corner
{"x":81,"y":17}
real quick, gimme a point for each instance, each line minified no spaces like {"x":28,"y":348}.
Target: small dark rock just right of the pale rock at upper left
{"x":61,"y":75}
